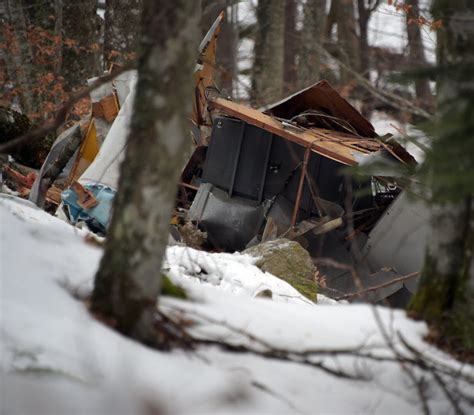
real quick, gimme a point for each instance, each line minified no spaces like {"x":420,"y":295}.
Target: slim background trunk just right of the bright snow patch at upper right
{"x":416,"y":56}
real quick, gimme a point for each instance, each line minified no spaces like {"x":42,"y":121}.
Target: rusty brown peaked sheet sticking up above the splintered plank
{"x":323,"y":99}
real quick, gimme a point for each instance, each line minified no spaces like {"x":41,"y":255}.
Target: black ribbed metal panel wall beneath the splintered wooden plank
{"x":241,"y":158}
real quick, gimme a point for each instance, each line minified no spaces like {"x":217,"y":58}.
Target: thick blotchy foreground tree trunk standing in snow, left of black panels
{"x":128,"y":281}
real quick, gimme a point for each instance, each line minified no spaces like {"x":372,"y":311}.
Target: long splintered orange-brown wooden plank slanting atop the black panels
{"x":327,"y":143}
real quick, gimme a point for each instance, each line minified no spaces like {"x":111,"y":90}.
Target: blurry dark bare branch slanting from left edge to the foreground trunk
{"x":60,"y":117}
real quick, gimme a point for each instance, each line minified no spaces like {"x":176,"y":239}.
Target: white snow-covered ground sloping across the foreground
{"x":57,"y":359}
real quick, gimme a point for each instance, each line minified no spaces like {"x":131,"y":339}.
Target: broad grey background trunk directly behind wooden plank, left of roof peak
{"x":267,"y":76}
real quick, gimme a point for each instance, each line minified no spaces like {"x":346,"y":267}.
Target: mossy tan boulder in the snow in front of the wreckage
{"x":289,"y":261}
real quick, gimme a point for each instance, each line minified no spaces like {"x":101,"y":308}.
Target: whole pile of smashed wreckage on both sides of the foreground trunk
{"x":258,"y":178}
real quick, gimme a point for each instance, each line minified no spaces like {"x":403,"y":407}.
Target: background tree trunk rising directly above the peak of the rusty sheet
{"x":314,"y":19}
